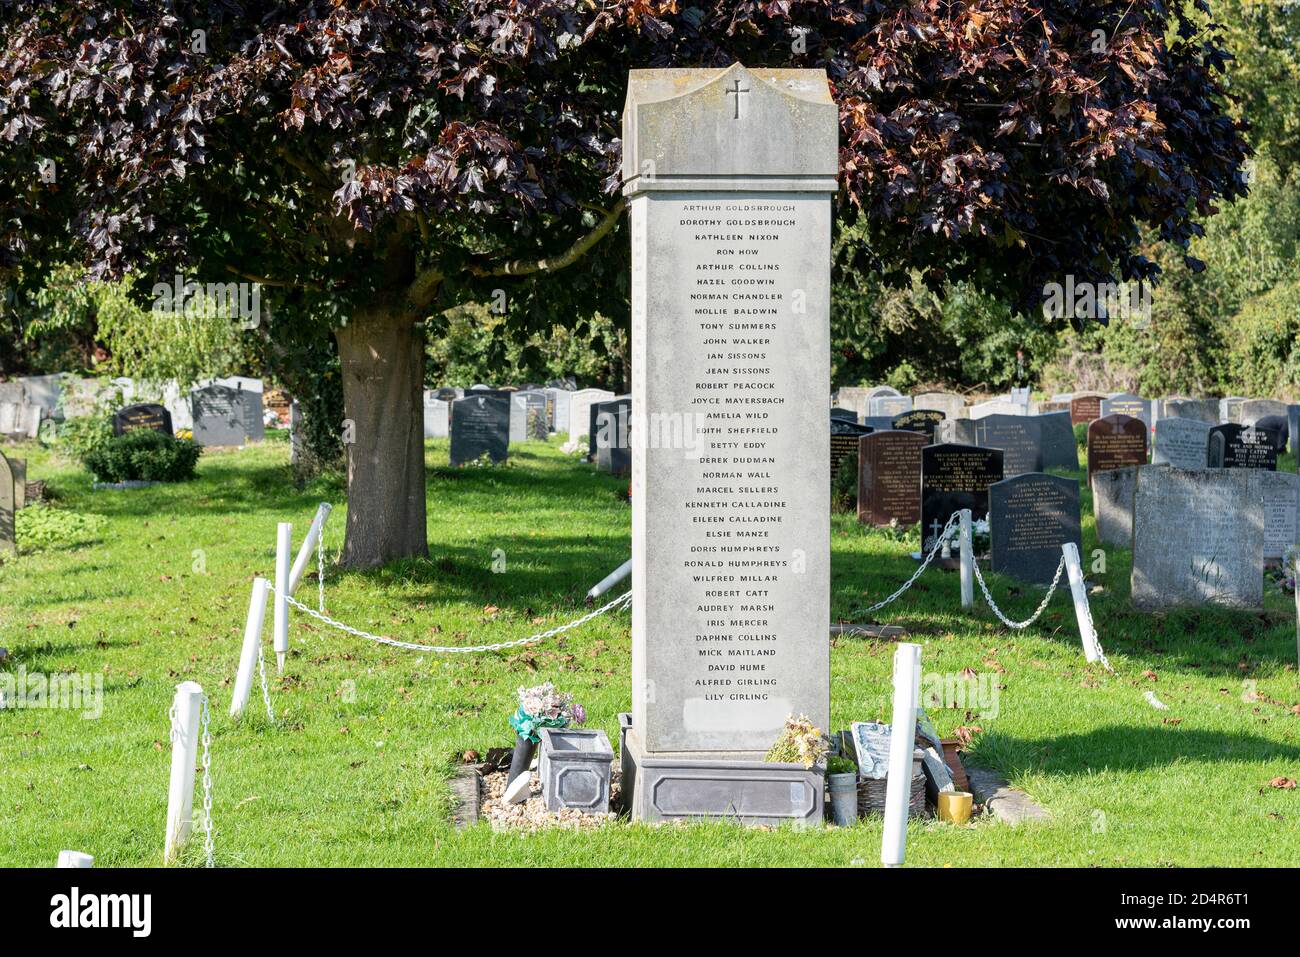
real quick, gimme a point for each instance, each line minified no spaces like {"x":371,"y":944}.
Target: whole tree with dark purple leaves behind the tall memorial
{"x":374,"y":163}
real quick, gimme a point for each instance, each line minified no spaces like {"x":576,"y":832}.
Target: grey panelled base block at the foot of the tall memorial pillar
{"x":716,"y":786}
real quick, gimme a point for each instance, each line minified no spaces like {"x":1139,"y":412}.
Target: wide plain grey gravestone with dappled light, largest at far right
{"x":1198,"y":539}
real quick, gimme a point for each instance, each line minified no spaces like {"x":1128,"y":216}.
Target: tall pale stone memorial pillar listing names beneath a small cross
{"x":731,"y":253}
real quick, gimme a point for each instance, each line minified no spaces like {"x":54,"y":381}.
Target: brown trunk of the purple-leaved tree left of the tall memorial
{"x":383,"y":362}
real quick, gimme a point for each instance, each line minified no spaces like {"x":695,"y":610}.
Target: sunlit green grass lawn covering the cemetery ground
{"x":356,"y":770}
